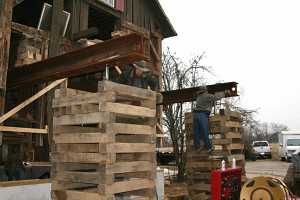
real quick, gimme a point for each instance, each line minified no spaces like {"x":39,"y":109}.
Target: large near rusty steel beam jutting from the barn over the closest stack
{"x":117,"y":51}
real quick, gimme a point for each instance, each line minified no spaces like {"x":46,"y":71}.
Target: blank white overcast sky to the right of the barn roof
{"x":253,"y":42}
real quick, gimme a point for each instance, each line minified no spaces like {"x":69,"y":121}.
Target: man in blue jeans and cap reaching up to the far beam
{"x":204,"y":104}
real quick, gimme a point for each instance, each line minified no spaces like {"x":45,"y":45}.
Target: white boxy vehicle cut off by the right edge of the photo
{"x":289,"y":142}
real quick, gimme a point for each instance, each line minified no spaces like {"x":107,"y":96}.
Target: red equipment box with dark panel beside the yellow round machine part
{"x":226,"y":184}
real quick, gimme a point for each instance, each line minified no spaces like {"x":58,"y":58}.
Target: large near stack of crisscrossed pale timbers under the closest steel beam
{"x":104,"y":143}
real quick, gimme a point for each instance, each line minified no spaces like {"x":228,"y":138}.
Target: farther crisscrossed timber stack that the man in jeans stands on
{"x":226,"y":140}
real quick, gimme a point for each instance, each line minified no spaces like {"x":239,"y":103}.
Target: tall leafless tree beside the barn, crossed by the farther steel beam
{"x":179,"y":75}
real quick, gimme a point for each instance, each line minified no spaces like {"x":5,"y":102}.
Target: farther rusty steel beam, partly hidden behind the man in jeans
{"x":189,"y":94}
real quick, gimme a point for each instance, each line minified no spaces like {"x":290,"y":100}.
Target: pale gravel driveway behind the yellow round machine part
{"x":278,"y":169}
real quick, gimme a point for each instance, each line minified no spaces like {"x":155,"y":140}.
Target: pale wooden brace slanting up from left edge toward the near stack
{"x":30,"y":100}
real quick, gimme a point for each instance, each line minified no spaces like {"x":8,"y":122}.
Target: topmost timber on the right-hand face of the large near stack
{"x":127,"y":91}
